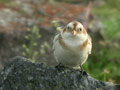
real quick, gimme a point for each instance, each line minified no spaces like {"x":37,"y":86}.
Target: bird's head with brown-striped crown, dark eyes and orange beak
{"x":75,"y":28}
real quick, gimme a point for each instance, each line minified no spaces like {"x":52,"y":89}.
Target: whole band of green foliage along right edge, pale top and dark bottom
{"x":104,"y":64}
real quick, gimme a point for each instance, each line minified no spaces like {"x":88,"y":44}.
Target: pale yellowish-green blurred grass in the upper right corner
{"x":110,"y":18}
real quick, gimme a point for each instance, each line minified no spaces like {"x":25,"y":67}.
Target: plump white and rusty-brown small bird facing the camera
{"x":72,"y":45}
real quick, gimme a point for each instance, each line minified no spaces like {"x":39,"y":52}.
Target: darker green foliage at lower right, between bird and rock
{"x":104,"y":60}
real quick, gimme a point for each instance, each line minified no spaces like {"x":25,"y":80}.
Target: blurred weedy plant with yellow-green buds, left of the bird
{"x":33,"y":49}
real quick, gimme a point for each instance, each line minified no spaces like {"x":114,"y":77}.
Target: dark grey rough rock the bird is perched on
{"x":20,"y":74}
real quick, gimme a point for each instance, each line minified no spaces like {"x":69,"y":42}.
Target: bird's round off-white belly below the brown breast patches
{"x":69,"y":58}
